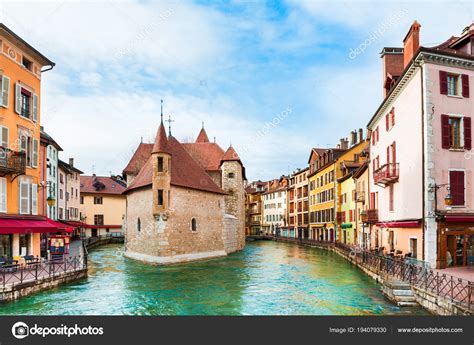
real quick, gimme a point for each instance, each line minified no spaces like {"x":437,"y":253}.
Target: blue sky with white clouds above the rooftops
{"x":273,"y":78}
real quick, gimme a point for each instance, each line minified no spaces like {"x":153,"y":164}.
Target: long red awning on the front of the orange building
{"x":28,"y":226}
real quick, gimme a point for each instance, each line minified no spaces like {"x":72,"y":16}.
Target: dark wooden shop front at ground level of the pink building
{"x":456,"y":241}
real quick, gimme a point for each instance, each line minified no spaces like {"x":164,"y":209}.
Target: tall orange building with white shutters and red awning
{"x":21,"y":223}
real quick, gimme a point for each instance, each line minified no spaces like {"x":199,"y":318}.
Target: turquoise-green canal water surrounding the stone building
{"x":267,"y":278}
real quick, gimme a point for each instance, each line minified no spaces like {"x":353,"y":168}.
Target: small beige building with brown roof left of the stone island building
{"x":102,"y":205}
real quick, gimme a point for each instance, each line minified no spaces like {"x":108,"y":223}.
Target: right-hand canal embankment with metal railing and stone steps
{"x":404,"y":284}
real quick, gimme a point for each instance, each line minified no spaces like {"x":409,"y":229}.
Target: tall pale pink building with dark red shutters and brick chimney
{"x":422,"y":187}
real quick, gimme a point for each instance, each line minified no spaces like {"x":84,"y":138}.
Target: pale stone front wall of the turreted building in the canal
{"x":171,"y":239}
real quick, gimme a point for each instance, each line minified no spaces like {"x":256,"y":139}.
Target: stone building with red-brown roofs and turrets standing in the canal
{"x":185,"y":201}
